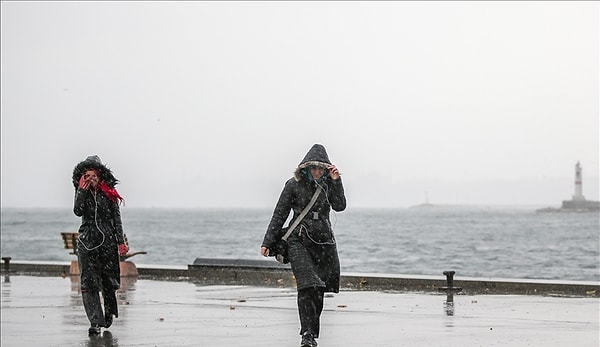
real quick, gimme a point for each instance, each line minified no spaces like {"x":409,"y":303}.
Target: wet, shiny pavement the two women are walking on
{"x":48,"y":311}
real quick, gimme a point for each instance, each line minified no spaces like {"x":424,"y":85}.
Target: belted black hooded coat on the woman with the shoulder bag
{"x":312,"y":247}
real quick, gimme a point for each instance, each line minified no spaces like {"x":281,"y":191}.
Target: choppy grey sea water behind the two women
{"x":486,"y":242}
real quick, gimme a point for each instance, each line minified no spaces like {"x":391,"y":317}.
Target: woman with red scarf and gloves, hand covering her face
{"x":101,"y":240}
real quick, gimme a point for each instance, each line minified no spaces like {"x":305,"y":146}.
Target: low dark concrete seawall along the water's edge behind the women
{"x":272,"y":274}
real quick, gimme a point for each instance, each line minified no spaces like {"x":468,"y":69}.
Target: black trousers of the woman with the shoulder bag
{"x":310,"y":306}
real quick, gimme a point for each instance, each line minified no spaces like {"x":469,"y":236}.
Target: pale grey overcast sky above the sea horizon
{"x":213,"y":104}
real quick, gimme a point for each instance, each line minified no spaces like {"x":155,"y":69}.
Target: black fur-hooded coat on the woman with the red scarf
{"x":100,"y":232}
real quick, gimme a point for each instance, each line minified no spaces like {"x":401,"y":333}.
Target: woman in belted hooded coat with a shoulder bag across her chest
{"x":312,"y":247}
